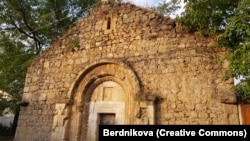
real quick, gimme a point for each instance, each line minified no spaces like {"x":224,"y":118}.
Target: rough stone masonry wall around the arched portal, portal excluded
{"x":178,"y":68}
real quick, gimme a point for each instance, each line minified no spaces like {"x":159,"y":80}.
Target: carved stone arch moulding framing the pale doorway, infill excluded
{"x":95,"y":74}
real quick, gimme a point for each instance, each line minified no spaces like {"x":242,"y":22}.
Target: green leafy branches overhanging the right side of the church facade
{"x":230,"y":21}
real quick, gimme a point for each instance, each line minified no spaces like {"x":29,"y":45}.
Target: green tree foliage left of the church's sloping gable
{"x":27,"y":27}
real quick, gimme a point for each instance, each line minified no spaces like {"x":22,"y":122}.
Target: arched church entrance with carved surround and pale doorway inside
{"x":102,"y":94}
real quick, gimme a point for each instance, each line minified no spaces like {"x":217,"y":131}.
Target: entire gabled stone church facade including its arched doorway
{"x":123,"y":64}
